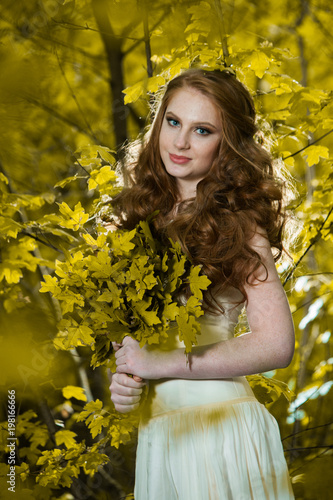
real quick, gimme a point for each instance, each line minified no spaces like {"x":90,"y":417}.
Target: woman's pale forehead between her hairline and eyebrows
{"x":193,"y":105}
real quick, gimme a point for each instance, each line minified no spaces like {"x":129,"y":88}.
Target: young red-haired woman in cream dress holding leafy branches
{"x":203,"y":435}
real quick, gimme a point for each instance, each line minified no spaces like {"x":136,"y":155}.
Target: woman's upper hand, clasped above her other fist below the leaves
{"x":145,"y":362}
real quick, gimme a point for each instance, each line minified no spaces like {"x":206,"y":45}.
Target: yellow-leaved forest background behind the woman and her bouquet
{"x":64,"y":67}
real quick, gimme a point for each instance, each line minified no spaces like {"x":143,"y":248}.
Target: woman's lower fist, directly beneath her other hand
{"x":125,"y":391}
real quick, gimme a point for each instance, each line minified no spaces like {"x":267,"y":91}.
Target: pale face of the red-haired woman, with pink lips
{"x":189,"y":138}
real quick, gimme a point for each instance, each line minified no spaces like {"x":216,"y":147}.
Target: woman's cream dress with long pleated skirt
{"x":209,"y":439}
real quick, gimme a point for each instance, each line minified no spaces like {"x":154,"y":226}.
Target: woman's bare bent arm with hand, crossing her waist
{"x":270,"y":344}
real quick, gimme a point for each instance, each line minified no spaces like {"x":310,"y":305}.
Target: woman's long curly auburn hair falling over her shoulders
{"x":240,"y":192}
